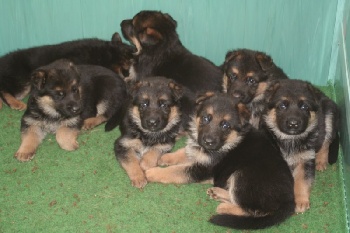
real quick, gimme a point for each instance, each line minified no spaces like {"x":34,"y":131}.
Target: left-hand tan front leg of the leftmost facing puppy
{"x":31,"y":139}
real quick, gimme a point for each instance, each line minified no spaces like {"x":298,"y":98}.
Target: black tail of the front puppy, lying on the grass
{"x":250,"y":222}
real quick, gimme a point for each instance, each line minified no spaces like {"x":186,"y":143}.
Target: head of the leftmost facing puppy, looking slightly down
{"x":57,"y":90}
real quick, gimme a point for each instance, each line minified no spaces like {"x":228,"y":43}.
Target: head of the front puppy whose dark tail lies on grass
{"x":219,"y":122}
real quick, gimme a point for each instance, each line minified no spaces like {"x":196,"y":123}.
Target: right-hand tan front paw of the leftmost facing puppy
{"x":67,"y":138}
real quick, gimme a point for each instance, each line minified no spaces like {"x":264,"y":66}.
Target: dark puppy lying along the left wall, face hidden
{"x":16,"y":67}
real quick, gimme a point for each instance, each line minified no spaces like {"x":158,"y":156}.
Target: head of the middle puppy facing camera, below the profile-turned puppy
{"x":155,"y":103}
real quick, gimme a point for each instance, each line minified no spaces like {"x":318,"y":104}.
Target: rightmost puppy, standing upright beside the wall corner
{"x":303,"y":121}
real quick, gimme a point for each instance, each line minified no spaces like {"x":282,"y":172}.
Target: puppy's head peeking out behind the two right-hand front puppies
{"x":245,"y":74}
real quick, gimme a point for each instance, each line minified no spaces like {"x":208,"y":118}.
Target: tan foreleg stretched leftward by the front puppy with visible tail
{"x":170,"y":175}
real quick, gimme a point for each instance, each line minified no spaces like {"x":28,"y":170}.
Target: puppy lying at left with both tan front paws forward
{"x":65,"y":98}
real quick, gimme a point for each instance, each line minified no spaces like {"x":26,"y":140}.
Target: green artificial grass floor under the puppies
{"x":87,"y":191}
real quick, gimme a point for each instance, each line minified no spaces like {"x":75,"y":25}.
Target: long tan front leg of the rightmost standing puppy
{"x":301,"y":189}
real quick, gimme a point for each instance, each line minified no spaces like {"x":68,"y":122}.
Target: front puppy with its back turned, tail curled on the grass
{"x":251,"y":178}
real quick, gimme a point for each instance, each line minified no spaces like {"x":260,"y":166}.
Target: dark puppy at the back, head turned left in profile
{"x":161,"y":53}
